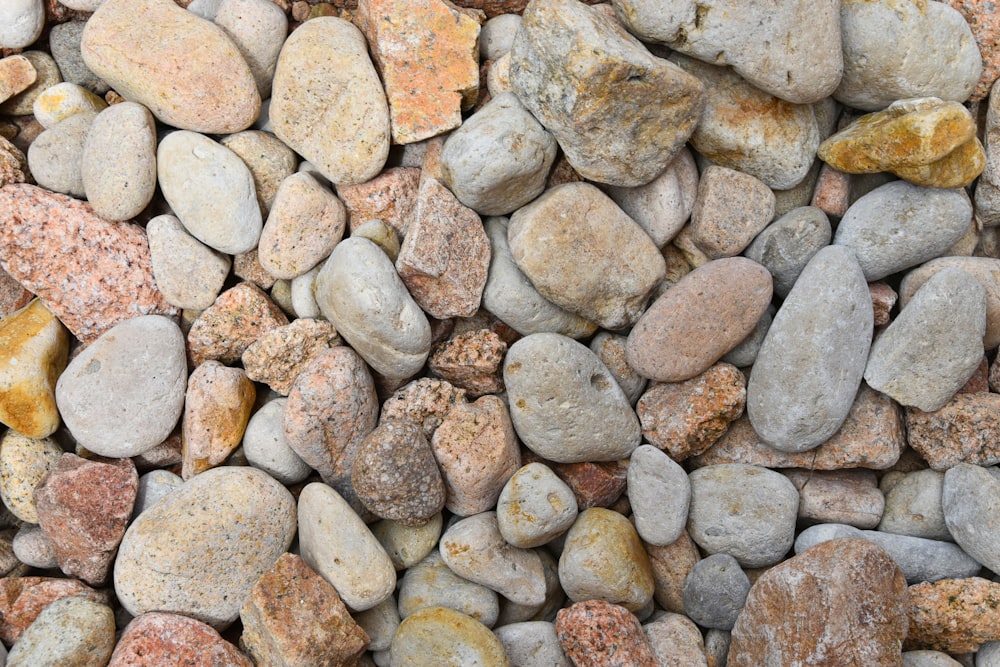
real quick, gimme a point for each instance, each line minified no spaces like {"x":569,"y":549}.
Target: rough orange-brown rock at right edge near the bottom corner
{"x":953,"y":615}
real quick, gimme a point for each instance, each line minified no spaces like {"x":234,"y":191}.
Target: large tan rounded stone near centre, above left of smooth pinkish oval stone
{"x":595,"y":261}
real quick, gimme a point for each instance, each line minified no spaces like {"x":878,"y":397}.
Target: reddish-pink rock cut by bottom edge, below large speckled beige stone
{"x":155,"y":639}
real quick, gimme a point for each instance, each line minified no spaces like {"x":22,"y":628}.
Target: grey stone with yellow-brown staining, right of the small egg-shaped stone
{"x":603,"y":558}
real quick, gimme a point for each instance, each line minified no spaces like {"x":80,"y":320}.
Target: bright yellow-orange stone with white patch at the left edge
{"x":34,"y":347}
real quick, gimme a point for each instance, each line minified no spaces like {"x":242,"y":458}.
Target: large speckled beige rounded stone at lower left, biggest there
{"x":166,"y":560}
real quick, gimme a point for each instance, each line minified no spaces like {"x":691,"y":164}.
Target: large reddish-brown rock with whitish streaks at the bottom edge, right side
{"x":842,"y":602}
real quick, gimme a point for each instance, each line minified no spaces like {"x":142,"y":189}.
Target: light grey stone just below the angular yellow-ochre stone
{"x":900,"y":225}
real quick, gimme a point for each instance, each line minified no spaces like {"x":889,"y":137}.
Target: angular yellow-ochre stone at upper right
{"x":909,"y":133}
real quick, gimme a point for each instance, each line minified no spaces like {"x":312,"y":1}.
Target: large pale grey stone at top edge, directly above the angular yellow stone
{"x":879,"y":71}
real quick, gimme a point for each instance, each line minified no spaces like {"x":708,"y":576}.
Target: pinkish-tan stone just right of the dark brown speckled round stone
{"x":477,"y":450}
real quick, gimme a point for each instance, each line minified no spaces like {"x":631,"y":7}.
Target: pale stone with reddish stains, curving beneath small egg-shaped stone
{"x":474,"y":549}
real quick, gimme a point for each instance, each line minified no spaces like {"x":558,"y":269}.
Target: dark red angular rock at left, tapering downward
{"x":83,"y":508}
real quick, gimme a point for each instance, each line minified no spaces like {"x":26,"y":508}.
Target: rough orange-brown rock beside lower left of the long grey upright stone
{"x":686,"y":418}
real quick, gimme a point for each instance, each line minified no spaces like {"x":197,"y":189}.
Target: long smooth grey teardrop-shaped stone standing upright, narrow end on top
{"x":811,"y":363}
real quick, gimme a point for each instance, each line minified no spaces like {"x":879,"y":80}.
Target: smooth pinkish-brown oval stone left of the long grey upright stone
{"x":706,"y":314}
